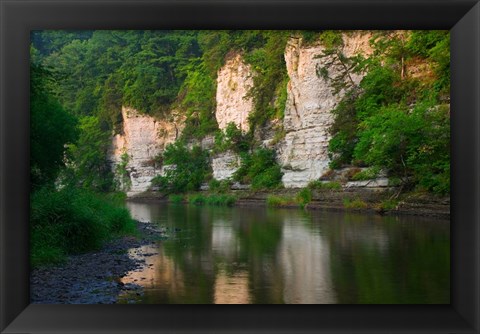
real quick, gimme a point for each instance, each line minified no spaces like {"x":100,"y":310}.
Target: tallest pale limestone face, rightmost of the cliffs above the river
{"x":303,"y":154}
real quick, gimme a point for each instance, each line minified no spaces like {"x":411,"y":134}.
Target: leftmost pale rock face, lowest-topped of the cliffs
{"x":143,"y":139}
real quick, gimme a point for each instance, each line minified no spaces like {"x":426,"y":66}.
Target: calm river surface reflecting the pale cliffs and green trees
{"x":262,"y":255}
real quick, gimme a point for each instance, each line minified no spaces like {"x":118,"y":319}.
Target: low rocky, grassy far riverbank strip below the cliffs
{"x":365,"y":200}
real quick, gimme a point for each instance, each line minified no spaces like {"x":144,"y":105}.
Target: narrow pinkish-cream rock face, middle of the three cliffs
{"x":233,"y":83}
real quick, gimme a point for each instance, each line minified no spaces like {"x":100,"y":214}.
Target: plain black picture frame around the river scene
{"x":19,"y":17}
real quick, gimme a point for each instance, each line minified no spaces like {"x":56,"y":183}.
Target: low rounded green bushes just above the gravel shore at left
{"x":73,"y":220}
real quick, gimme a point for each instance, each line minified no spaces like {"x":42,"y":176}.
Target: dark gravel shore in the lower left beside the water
{"x":94,"y":277}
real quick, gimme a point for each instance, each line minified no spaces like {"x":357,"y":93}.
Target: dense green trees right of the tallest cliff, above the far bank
{"x":397,"y":119}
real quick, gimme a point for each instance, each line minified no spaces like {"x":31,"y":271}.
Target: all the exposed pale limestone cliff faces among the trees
{"x":302,"y":153}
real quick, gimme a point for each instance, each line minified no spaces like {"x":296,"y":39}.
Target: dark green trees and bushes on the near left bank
{"x":67,"y":163}
